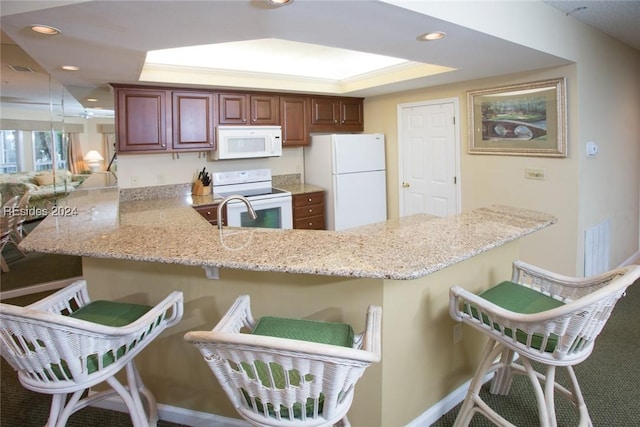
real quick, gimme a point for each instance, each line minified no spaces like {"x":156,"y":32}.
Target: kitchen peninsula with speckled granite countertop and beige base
{"x":137,"y":250}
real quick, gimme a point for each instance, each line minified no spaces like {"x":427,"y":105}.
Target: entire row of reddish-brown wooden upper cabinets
{"x":153,"y":119}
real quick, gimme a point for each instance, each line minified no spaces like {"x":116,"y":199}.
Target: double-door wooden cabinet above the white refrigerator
{"x":336,"y":114}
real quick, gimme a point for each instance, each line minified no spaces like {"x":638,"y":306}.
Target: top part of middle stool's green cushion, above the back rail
{"x":339,"y":334}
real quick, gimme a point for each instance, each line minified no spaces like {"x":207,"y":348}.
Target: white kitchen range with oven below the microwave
{"x":273,"y":206}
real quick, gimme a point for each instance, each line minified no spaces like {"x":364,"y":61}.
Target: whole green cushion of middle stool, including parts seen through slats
{"x":339,"y":334}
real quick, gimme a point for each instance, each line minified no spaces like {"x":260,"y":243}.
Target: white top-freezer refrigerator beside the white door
{"x":351,"y":168}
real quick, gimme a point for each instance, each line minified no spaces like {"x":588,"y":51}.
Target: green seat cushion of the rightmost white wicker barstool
{"x":521,"y":299}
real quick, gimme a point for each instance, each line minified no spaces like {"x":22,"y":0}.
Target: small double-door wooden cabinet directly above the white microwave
{"x":248,"y":109}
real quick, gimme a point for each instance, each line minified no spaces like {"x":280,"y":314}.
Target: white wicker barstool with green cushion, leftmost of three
{"x":64,"y":344}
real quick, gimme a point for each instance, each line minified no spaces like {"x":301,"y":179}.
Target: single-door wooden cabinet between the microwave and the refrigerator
{"x":295,"y":120}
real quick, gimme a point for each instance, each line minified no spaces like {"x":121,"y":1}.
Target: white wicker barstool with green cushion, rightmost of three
{"x":538,"y":316}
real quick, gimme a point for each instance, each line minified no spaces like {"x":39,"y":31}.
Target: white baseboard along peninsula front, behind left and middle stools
{"x":178,"y":415}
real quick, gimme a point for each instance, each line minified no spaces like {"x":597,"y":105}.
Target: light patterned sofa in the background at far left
{"x":44,"y":194}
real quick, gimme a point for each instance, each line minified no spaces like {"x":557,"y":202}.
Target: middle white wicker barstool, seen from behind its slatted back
{"x":288,"y":372}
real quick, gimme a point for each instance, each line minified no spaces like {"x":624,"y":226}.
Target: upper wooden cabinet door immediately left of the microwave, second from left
{"x":193,"y":120}
